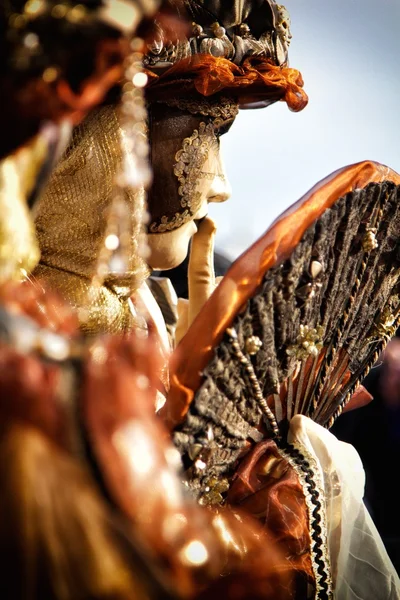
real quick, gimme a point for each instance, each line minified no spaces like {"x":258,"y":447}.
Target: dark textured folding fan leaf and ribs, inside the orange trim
{"x":312,"y":329}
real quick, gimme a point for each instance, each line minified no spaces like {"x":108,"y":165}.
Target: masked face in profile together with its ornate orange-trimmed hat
{"x":233,"y":56}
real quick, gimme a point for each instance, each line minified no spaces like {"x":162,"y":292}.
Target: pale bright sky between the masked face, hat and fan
{"x":349,"y":54}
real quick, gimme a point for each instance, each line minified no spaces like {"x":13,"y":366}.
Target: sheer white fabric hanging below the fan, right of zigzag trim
{"x":361,"y":568}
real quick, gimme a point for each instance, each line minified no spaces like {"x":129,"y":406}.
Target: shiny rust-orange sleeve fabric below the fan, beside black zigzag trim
{"x":267,"y":488}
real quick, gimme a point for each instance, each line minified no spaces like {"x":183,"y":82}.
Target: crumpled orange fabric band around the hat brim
{"x":256,"y":79}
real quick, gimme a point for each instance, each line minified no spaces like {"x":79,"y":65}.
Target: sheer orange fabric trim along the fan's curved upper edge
{"x":246,"y":274}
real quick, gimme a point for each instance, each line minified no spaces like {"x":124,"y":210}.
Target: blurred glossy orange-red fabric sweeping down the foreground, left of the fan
{"x":131,"y":449}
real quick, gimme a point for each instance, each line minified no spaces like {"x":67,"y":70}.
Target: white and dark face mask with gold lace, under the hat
{"x":188,"y":173}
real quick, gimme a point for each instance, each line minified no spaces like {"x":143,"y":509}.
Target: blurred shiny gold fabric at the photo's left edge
{"x":19,"y":250}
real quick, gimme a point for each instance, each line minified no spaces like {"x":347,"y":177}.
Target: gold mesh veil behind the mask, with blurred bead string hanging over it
{"x":90,"y":218}
